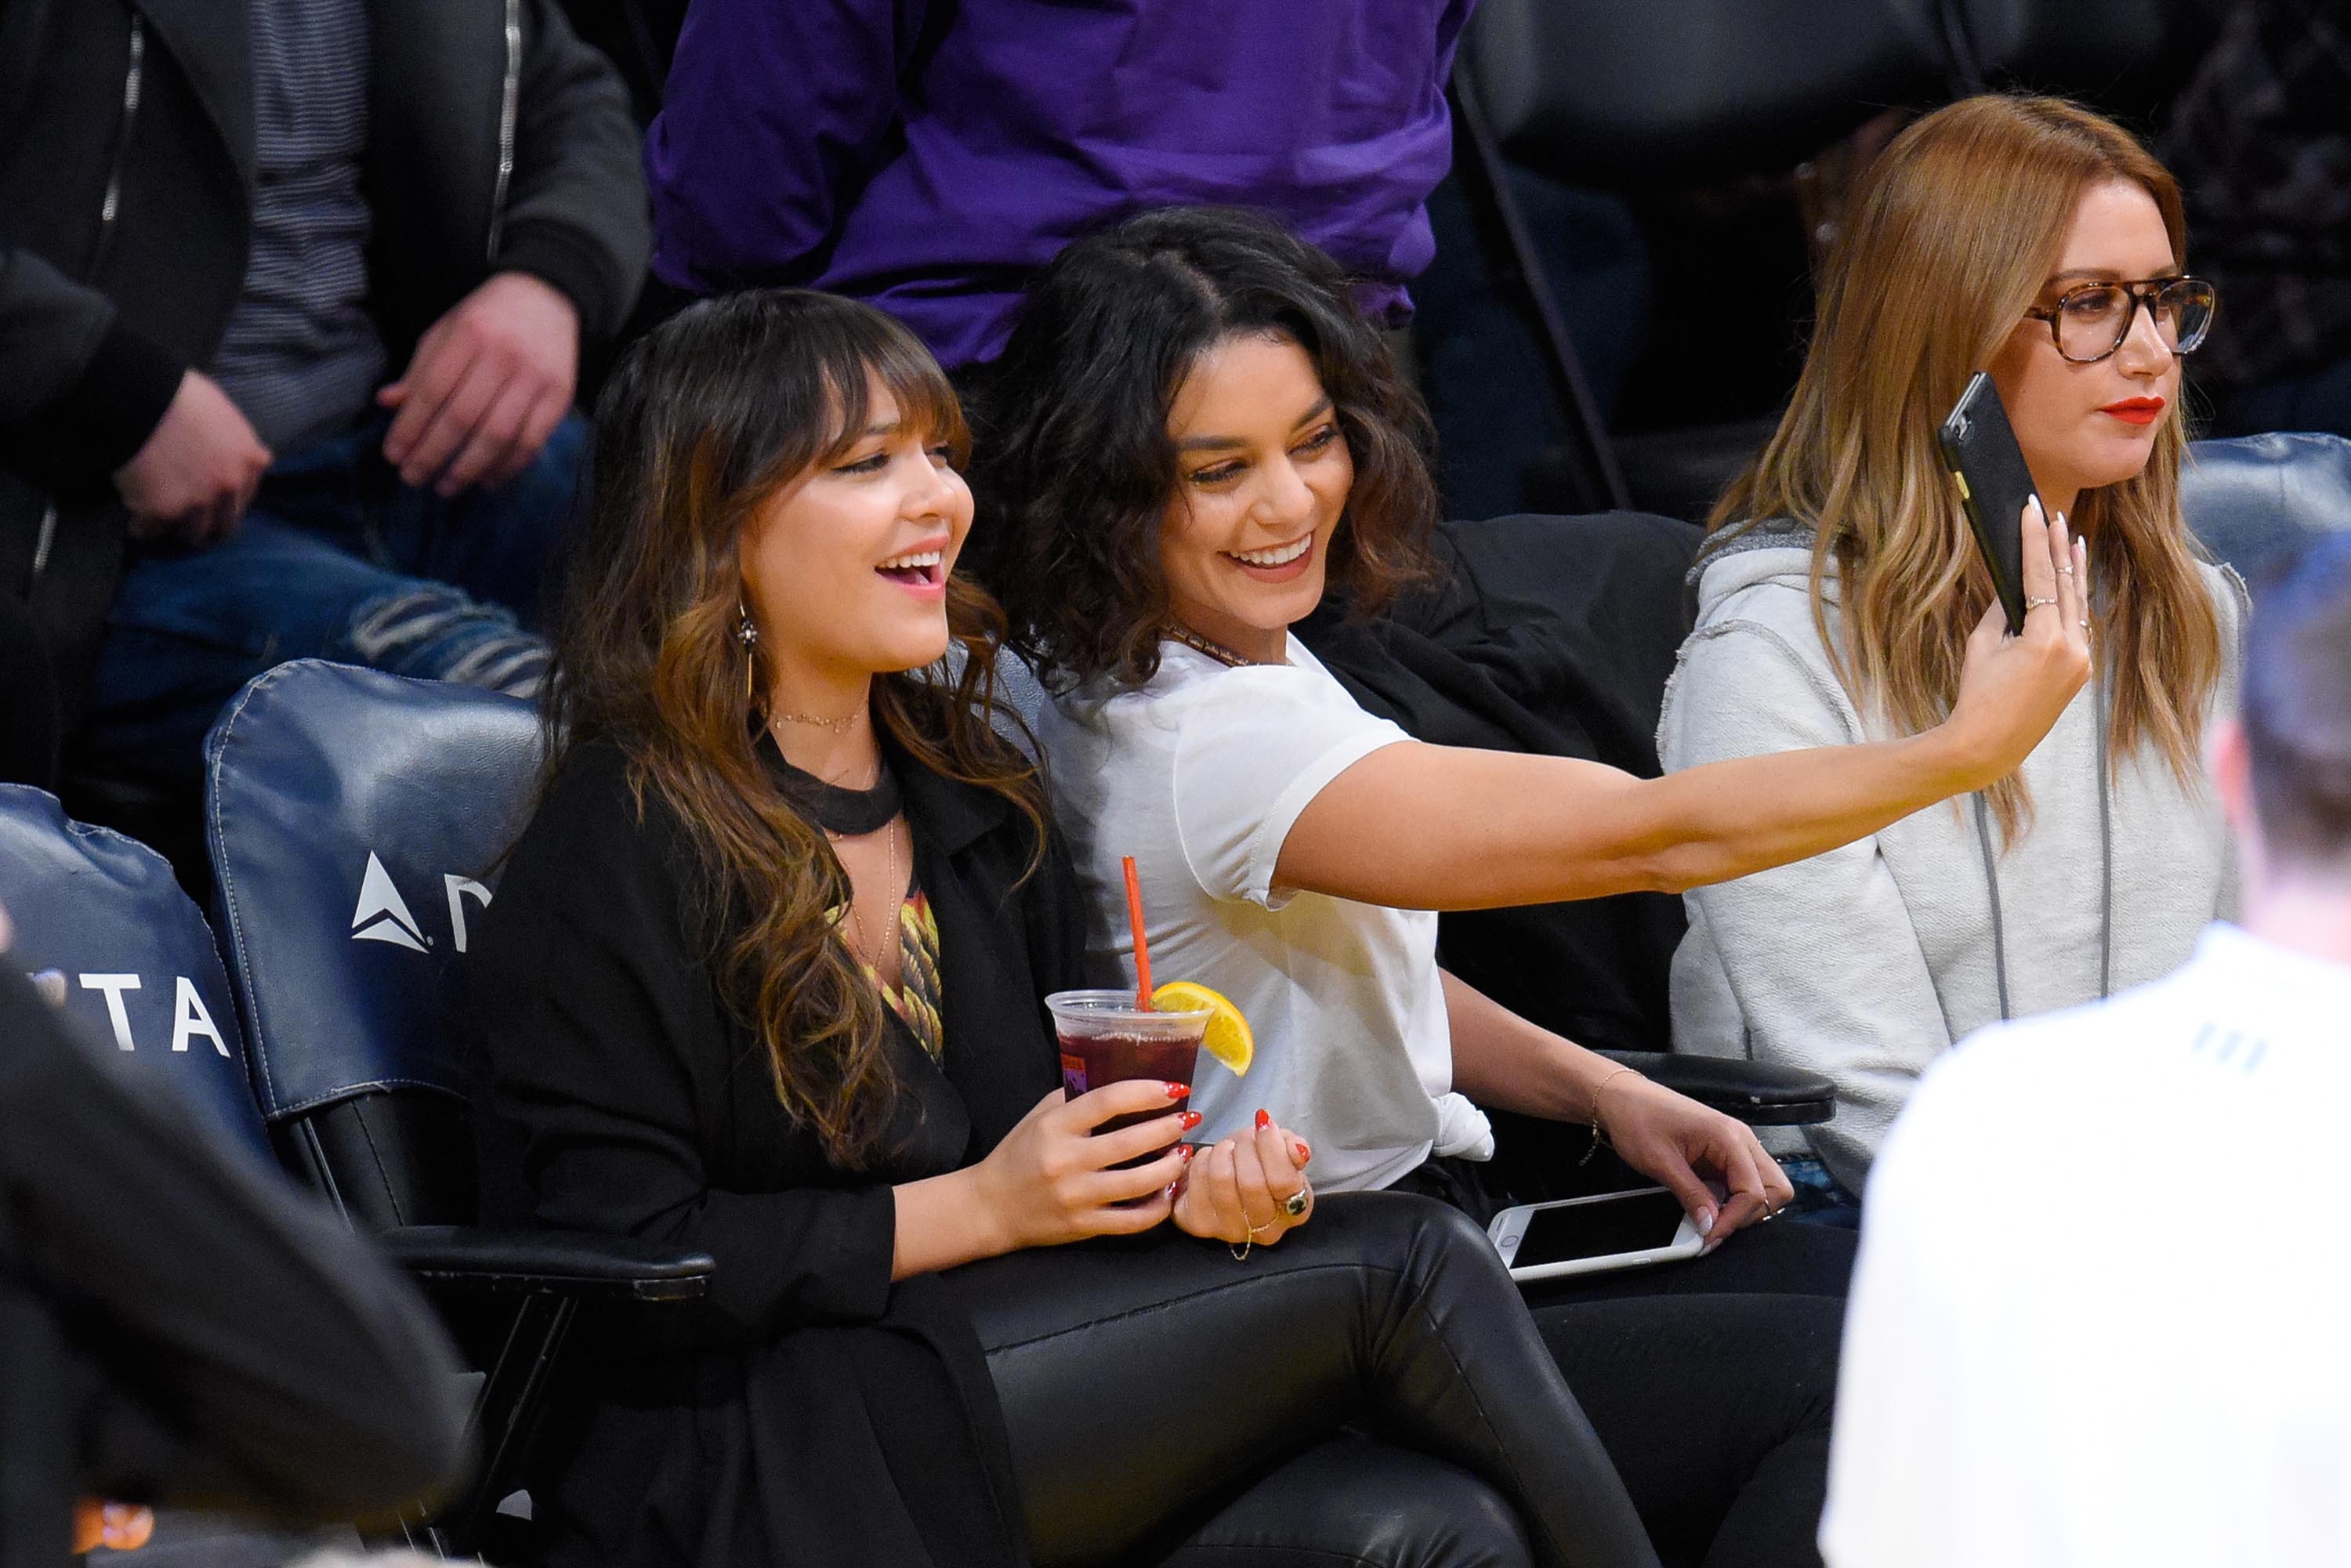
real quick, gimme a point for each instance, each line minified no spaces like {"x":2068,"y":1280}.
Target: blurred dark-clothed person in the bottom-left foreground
{"x":178,"y":1327}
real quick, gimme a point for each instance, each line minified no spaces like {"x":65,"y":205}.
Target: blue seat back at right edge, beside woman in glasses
{"x":2258,"y":497}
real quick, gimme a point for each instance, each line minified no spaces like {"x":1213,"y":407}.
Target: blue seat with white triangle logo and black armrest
{"x":356,"y":826}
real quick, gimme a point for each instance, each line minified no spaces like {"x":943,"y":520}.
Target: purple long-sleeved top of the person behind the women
{"x":836,"y":145}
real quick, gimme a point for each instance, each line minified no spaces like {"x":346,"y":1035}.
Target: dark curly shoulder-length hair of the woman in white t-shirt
{"x":1073,"y":460}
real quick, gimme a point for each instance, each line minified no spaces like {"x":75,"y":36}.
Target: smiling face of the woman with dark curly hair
{"x":1261,"y":483}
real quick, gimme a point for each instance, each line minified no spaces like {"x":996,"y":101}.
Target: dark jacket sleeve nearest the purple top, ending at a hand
{"x":577,"y":210}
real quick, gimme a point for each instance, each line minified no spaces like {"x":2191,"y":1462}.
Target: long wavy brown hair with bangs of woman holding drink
{"x":699,"y":424}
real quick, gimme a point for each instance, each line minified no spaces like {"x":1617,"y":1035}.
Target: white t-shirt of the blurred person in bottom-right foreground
{"x":2103,"y":1308}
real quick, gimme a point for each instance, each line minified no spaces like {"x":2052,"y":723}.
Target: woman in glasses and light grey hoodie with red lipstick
{"x":2039,"y":243}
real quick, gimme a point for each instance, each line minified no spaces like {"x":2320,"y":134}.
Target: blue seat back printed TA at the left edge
{"x":114,"y":939}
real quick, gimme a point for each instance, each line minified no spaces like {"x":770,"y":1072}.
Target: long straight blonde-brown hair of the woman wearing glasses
{"x":1953,"y":241}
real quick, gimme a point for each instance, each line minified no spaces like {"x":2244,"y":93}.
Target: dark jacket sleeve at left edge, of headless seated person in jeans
{"x":76,"y":380}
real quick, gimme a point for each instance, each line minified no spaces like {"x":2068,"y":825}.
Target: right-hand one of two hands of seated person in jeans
{"x":488,"y":387}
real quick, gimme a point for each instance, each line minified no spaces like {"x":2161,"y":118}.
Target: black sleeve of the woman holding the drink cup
{"x":605,"y":1038}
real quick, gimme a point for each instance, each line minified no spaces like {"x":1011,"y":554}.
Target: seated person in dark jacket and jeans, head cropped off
{"x":293,"y":302}
